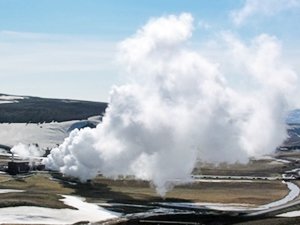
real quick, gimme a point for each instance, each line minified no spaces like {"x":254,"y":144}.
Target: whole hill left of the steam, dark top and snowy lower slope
{"x":42,"y":121}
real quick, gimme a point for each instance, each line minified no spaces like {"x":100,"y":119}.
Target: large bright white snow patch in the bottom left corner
{"x":40,"y":215}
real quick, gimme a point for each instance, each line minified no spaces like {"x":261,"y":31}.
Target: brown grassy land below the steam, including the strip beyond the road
{"x":44,"y":189}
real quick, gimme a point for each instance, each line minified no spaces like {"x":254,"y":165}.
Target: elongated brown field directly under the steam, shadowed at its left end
{"x":131,"y":191}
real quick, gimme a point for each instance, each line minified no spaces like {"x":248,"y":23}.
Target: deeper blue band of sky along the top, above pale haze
{"x":112,"y":19}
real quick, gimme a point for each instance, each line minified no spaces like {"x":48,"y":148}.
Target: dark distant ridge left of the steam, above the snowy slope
{"x":26,"y":109}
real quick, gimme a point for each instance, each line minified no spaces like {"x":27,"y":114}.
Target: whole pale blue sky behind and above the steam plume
{"x":68,"y":49}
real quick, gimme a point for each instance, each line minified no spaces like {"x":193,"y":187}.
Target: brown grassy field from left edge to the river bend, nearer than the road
{"x":43,"y":190}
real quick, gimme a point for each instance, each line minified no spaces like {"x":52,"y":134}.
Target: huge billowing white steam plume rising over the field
{"x":178,"y":108}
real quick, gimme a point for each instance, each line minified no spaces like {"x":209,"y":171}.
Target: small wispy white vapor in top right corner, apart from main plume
{"x":262,"y":7}
